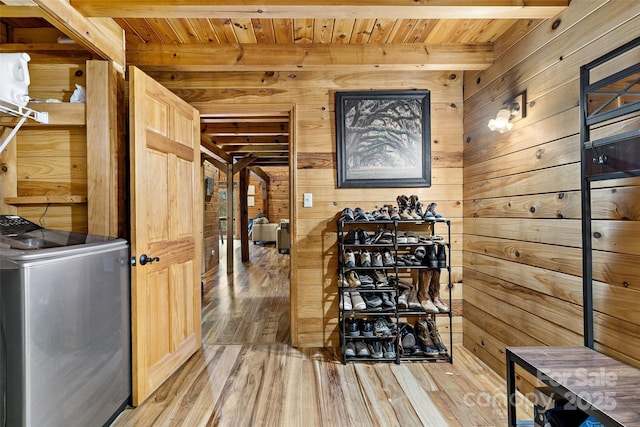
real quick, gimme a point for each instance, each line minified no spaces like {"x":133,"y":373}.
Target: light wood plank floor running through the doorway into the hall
{"x":246,"y":373}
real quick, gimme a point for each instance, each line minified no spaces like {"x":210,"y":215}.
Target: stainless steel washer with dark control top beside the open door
{"x":65,"y":326}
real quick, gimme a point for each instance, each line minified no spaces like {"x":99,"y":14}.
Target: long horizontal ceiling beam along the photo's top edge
{"x":390,"y":9}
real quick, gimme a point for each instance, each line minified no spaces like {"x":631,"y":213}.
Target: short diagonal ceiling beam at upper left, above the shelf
{"x":101,"y":36}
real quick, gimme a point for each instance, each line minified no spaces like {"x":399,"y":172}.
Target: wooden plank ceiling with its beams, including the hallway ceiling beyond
{"x":284,"y":35}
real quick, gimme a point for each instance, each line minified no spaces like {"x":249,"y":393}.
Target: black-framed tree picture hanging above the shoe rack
{"x":383,"y":139}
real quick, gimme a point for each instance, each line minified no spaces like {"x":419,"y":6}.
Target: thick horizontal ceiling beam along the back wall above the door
{"x":310,"y":57}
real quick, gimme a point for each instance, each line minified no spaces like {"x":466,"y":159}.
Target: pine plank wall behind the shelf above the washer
{"x":50,"y":160}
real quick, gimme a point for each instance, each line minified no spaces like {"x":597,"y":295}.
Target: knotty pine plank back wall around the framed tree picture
{"x":314,"y":257}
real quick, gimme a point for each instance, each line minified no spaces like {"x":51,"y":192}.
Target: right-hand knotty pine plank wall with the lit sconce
{"x":522,"y":229}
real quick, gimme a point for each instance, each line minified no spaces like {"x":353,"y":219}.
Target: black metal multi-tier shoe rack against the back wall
{"x":396,"y":273}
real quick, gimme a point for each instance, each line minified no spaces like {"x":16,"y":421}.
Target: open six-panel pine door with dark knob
{"x":165,"y":224}
